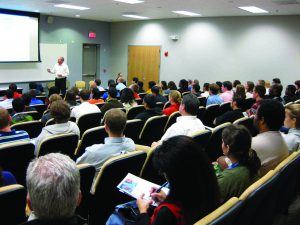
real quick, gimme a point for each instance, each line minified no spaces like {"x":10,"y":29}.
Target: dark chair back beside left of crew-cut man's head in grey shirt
{"x":95,"y":135}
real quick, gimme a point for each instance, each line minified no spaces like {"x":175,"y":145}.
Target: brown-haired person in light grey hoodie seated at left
{"x":60,"y":112}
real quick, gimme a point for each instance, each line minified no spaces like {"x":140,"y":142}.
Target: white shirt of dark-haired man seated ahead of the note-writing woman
{"x":185,"y":125}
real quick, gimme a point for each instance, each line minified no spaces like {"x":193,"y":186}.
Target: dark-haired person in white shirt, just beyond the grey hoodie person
{"x":85,"y":107}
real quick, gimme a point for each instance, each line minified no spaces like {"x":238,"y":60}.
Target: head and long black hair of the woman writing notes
{"x":181,"y":155}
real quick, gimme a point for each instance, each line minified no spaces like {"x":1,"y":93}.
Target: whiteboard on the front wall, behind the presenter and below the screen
{"x":37,"y":71}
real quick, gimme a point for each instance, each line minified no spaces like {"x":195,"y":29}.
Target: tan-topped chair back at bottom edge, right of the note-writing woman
{"x":223,"y":215}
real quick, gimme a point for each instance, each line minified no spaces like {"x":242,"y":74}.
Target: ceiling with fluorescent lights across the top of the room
{"x":109,"y":10}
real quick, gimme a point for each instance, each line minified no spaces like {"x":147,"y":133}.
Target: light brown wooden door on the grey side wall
{"x":144,"y":63}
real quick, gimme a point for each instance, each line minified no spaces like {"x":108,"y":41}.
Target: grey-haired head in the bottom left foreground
{"x":53,"y":185}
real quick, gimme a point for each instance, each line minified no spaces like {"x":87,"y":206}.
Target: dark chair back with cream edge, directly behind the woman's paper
{"x":104,"y":194}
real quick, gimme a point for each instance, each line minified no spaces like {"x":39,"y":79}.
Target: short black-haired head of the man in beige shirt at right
{"x":269,"y":116}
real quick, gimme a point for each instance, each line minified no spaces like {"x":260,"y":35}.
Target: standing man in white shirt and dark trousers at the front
{"x":61,"y":71}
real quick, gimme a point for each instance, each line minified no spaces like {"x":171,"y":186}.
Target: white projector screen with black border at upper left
{"x":19,"y":39}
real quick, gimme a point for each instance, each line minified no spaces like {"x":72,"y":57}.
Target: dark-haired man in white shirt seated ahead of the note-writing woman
{"x":187,"y":123}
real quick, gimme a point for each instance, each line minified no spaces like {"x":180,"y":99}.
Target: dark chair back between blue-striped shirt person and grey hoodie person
{"x":33,"y":128}
